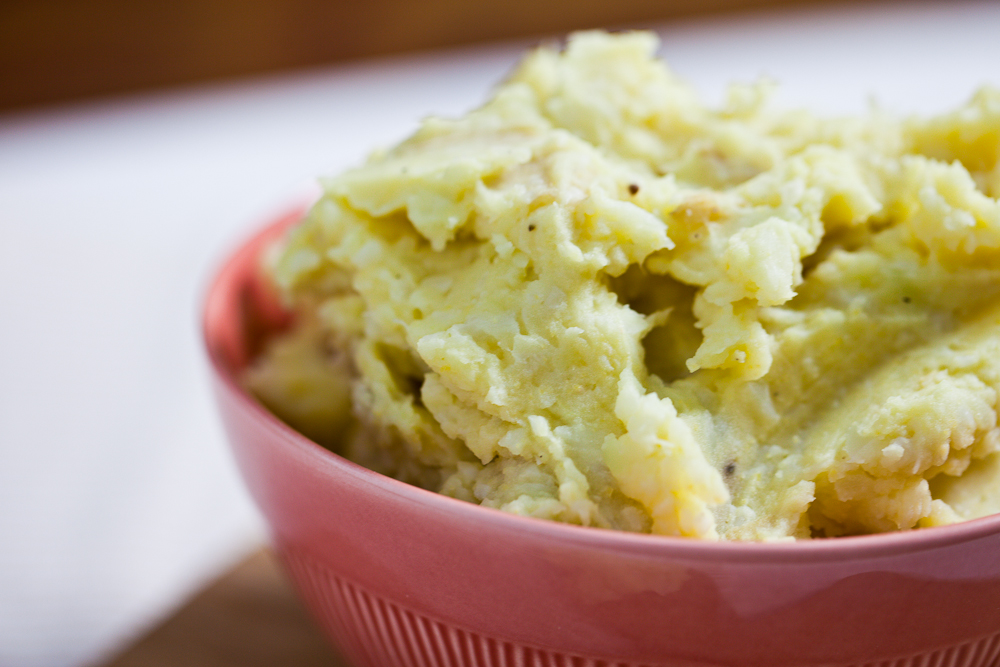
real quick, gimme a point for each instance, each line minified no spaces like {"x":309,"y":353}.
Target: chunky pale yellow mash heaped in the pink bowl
{"x":597,"y":300}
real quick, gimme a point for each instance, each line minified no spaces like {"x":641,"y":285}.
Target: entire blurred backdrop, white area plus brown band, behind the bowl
{"x":140,"y":141}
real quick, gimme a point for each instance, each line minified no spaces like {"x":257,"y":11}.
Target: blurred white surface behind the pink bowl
{"x":117,"y":495}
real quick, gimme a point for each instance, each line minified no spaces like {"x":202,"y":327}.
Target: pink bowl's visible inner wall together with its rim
{"x":243,"y":310}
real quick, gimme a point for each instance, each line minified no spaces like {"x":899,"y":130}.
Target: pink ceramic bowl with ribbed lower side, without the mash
{"x":399,"y":576}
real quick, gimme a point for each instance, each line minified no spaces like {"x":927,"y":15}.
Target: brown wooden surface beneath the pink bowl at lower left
{"x":250,"y":617}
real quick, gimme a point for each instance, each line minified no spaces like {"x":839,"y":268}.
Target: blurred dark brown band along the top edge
{"x":57,"y":50}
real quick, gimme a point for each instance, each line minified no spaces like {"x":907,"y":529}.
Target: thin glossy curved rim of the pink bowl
{"x":329,"y":464}
